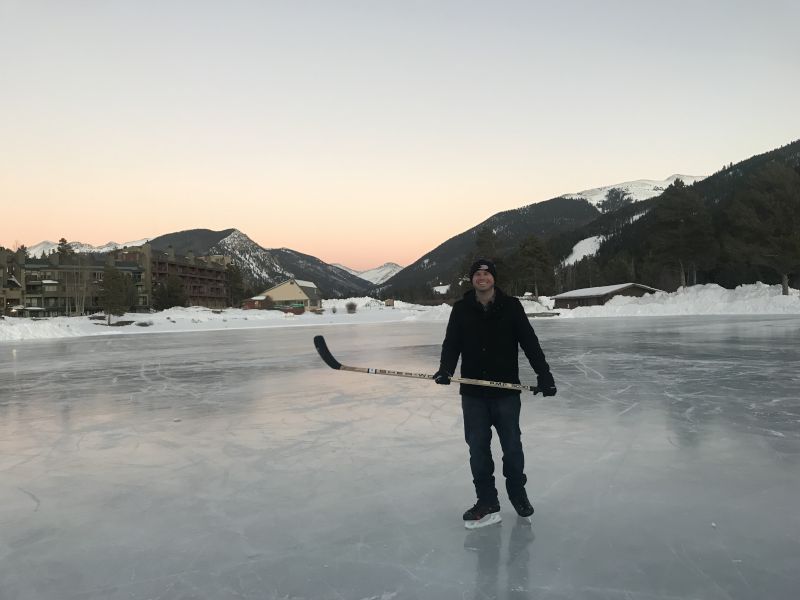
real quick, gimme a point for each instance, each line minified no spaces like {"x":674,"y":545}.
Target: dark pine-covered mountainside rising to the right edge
{"x":736,"y":226}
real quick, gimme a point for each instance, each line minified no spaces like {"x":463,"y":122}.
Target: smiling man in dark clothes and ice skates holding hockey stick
{"x":486,"y":328}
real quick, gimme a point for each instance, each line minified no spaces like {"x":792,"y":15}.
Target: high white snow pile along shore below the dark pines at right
{"x":709,"y":299}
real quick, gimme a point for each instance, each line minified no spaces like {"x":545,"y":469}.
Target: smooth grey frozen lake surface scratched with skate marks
{"x":235,"y":464}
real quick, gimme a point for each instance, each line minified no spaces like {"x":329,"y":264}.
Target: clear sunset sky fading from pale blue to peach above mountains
{"x":370,"y":131}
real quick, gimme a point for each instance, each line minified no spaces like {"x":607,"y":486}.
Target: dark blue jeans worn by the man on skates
{"x":480,"y":415}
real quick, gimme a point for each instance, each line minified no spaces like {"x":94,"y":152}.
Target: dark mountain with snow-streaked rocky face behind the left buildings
{"x":262,"y":268}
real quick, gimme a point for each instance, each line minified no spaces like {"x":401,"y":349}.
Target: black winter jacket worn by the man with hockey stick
{"x":488,"y":342}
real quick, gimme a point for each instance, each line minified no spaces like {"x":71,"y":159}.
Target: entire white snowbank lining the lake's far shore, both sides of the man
{"x":697,"y":300}
